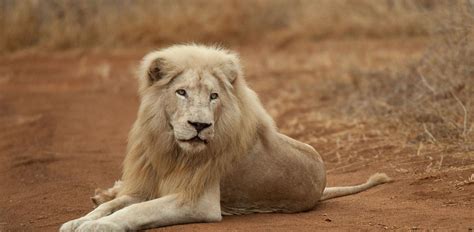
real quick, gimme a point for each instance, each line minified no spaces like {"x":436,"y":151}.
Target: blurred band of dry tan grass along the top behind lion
{"x":61,"y":24}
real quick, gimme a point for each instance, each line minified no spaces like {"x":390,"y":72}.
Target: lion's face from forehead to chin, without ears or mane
{"x":192,"y":117}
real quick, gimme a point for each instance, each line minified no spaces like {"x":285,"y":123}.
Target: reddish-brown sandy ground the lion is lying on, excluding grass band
{"x":64,"y":118}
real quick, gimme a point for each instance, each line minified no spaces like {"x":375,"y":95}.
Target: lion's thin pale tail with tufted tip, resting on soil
{"x":333,"y":192}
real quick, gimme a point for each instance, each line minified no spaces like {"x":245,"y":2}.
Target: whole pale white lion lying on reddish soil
{"x":203,"y":146}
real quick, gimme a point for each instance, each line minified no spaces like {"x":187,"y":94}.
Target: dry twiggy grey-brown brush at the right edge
{"x":431,"y":100}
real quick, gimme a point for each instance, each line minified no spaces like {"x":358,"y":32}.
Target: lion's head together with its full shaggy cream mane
{"x":196,"y":116}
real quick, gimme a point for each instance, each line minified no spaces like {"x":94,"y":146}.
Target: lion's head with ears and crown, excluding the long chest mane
{"x":189,"y":89}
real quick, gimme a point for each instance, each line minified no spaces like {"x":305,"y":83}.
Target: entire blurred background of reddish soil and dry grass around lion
{"x":373,"y":85}
